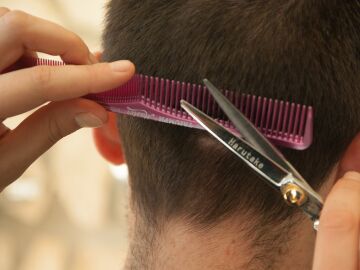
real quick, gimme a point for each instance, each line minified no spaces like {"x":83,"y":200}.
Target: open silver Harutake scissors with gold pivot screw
{"x":259,"y":154}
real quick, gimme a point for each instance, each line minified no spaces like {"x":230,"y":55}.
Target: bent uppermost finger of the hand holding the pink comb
{"x":20,"y":32}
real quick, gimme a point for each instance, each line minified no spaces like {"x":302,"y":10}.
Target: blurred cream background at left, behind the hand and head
{"x":68,"y":211}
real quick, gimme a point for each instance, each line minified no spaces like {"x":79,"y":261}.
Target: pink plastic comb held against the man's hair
{"x":285,"y":124}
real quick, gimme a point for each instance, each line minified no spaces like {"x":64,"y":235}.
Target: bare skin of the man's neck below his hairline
{"x":226,"y":246}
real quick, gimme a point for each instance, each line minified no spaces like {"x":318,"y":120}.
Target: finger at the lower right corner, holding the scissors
{"x":337,"y":243}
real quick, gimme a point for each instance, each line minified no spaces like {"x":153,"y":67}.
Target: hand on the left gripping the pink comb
{"x":26,"y":89}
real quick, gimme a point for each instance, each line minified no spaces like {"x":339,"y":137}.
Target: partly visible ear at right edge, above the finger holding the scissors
{"x":350,"y":161}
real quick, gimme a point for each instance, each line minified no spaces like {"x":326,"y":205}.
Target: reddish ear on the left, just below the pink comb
{"x":107,"y":141}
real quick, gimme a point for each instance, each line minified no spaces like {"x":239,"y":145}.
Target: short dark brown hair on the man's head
{"x":301,"y":51}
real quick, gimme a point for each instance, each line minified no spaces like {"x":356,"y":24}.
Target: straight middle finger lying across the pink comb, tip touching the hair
{"x":26,"y":89}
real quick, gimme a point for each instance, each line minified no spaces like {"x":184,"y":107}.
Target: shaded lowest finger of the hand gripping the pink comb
{"x":41,"y":130}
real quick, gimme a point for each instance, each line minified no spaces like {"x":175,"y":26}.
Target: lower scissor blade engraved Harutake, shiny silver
{"x":254,"y":159}
